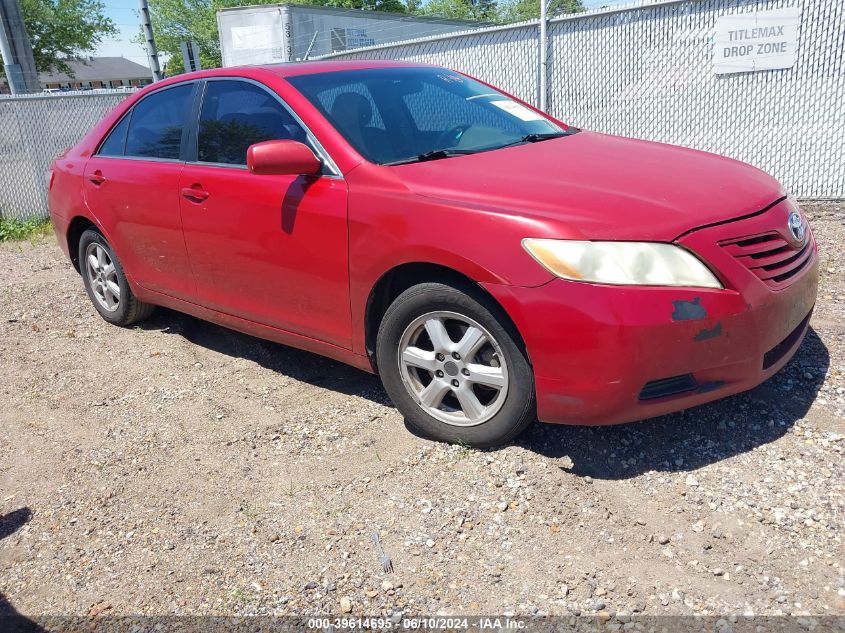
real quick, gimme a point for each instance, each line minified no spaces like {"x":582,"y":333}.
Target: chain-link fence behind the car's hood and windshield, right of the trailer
{"x":646,"y":71}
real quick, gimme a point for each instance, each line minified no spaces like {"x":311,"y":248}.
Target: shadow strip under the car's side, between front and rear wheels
{"x":289,"y":361}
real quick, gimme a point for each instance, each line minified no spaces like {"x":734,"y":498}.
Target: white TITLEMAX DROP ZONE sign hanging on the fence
{"x":763,"y":40}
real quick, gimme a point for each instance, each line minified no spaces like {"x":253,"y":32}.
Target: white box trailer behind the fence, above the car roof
{"x":274,"y":33}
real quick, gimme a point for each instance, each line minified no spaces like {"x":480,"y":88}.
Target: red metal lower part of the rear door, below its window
{"x":137,"y":202}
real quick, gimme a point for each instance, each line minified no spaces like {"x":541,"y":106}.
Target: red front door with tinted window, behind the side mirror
{"x":270,"y":249}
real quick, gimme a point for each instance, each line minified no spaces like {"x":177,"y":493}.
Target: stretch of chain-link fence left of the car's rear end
{"x":33,"y":130}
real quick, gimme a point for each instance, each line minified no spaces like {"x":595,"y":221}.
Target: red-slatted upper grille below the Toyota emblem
{"x":770,"y":257}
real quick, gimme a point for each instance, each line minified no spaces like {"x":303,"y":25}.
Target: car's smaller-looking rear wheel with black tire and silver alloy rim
{"x":121,"y":308}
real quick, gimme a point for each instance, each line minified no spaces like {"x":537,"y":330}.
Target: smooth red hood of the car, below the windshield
{"x":595,"y":186}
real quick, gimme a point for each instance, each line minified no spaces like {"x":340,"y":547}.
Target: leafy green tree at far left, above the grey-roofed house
{"x":63,"y":30}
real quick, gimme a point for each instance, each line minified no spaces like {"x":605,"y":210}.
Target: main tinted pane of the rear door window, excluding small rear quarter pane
{"x":155,"y":129}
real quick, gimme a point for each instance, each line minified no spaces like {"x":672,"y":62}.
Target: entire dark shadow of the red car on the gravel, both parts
{"x":681,"y":441}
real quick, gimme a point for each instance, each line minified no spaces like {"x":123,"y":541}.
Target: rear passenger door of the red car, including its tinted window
{"x":132,"y":187}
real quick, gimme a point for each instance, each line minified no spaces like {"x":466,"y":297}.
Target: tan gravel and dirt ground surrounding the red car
{"x":180,"y":468}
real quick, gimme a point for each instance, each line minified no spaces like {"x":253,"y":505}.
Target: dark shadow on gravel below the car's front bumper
{"x":693,"y":438}
